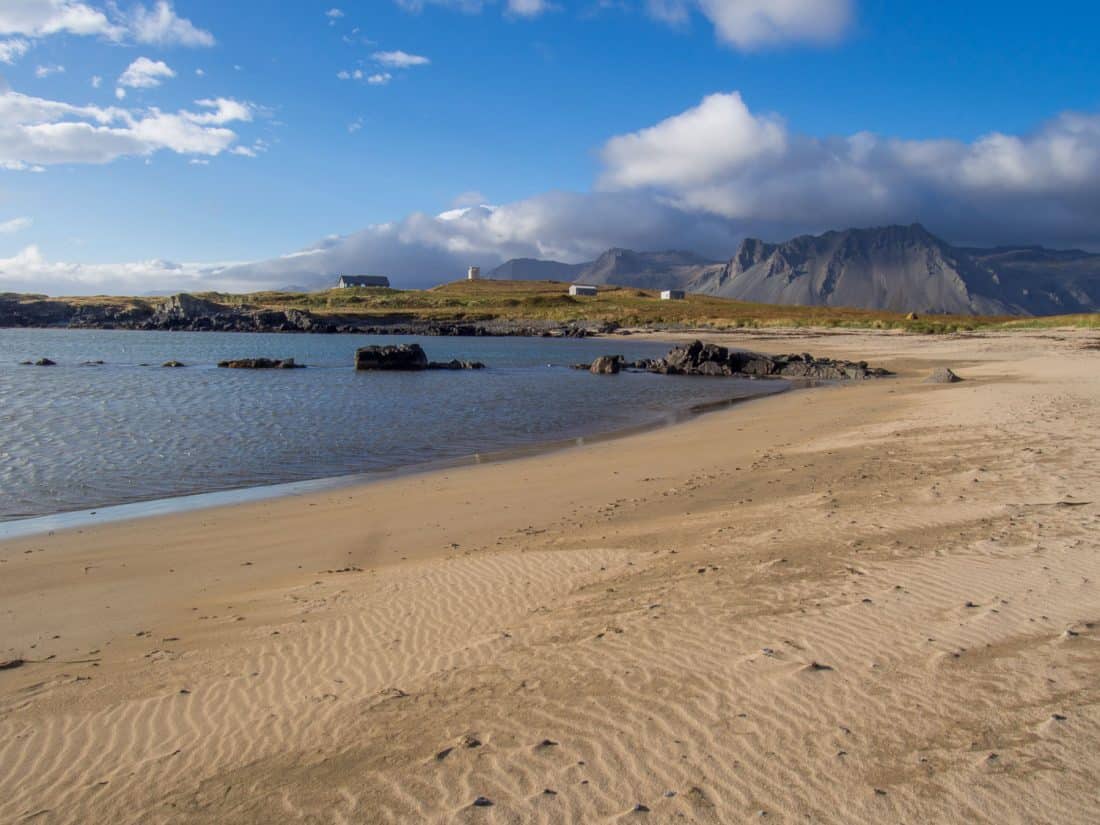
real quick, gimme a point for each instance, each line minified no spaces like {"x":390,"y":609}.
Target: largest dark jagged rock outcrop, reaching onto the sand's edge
{"x":701,"y":359}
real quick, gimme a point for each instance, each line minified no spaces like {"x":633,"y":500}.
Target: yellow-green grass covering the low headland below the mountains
{"x":482,"y":301}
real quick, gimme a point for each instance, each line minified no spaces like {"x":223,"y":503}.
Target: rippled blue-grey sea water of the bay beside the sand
{"x":76,"y":437}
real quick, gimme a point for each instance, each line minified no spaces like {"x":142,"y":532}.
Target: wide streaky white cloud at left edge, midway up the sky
{"x":40,"y":133}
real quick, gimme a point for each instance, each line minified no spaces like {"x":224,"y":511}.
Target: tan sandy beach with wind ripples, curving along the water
{"x":877,"y":602}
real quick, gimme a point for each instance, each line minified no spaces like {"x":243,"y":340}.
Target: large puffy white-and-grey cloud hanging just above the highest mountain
{"x":721,"y":159}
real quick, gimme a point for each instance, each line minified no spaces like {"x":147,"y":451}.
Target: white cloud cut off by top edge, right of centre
{"x":750,"y":25}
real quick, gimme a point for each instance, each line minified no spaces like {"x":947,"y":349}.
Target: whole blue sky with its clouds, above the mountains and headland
{"x":520,"y":104}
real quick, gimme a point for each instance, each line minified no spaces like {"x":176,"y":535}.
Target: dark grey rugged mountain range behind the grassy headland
{"x":901,"y":269}
